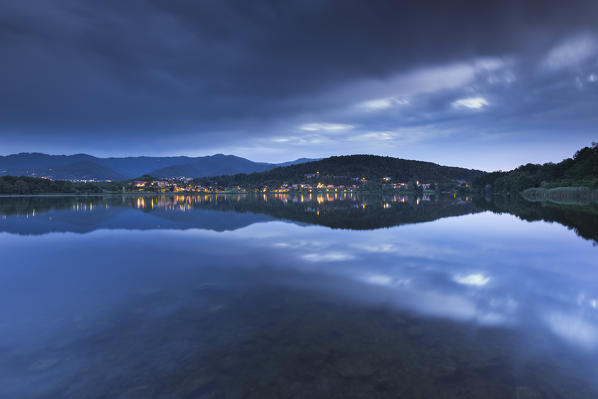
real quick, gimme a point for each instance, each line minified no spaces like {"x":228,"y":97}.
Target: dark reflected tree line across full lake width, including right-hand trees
{"x":355,"y":211}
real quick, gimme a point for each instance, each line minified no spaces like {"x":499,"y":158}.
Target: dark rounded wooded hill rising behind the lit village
{"x":347,"y":167}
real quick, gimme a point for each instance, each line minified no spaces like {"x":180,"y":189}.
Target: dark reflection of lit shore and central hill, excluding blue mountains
{"x":357,"y":212}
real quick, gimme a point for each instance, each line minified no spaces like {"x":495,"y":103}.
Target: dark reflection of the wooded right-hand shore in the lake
{"x":580,"y":218}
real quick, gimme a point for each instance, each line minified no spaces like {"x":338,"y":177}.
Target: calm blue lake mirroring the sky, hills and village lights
{"x":297,"y":296}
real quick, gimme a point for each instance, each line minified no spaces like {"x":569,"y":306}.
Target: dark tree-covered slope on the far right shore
{"x":581,"y":170}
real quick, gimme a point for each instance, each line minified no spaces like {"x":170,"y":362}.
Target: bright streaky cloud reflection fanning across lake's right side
{"x":426,"y":269}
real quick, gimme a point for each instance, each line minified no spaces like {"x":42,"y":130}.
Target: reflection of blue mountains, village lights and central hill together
{"x":41,"y":215}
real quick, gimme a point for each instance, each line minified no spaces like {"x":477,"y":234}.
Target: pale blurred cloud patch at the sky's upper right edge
{"x":571,"y":52}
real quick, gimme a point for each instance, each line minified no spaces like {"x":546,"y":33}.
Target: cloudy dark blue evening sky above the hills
{"x":487,"y":85}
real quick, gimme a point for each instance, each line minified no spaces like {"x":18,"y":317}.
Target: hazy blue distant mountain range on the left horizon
{"x":87,"y":167}
